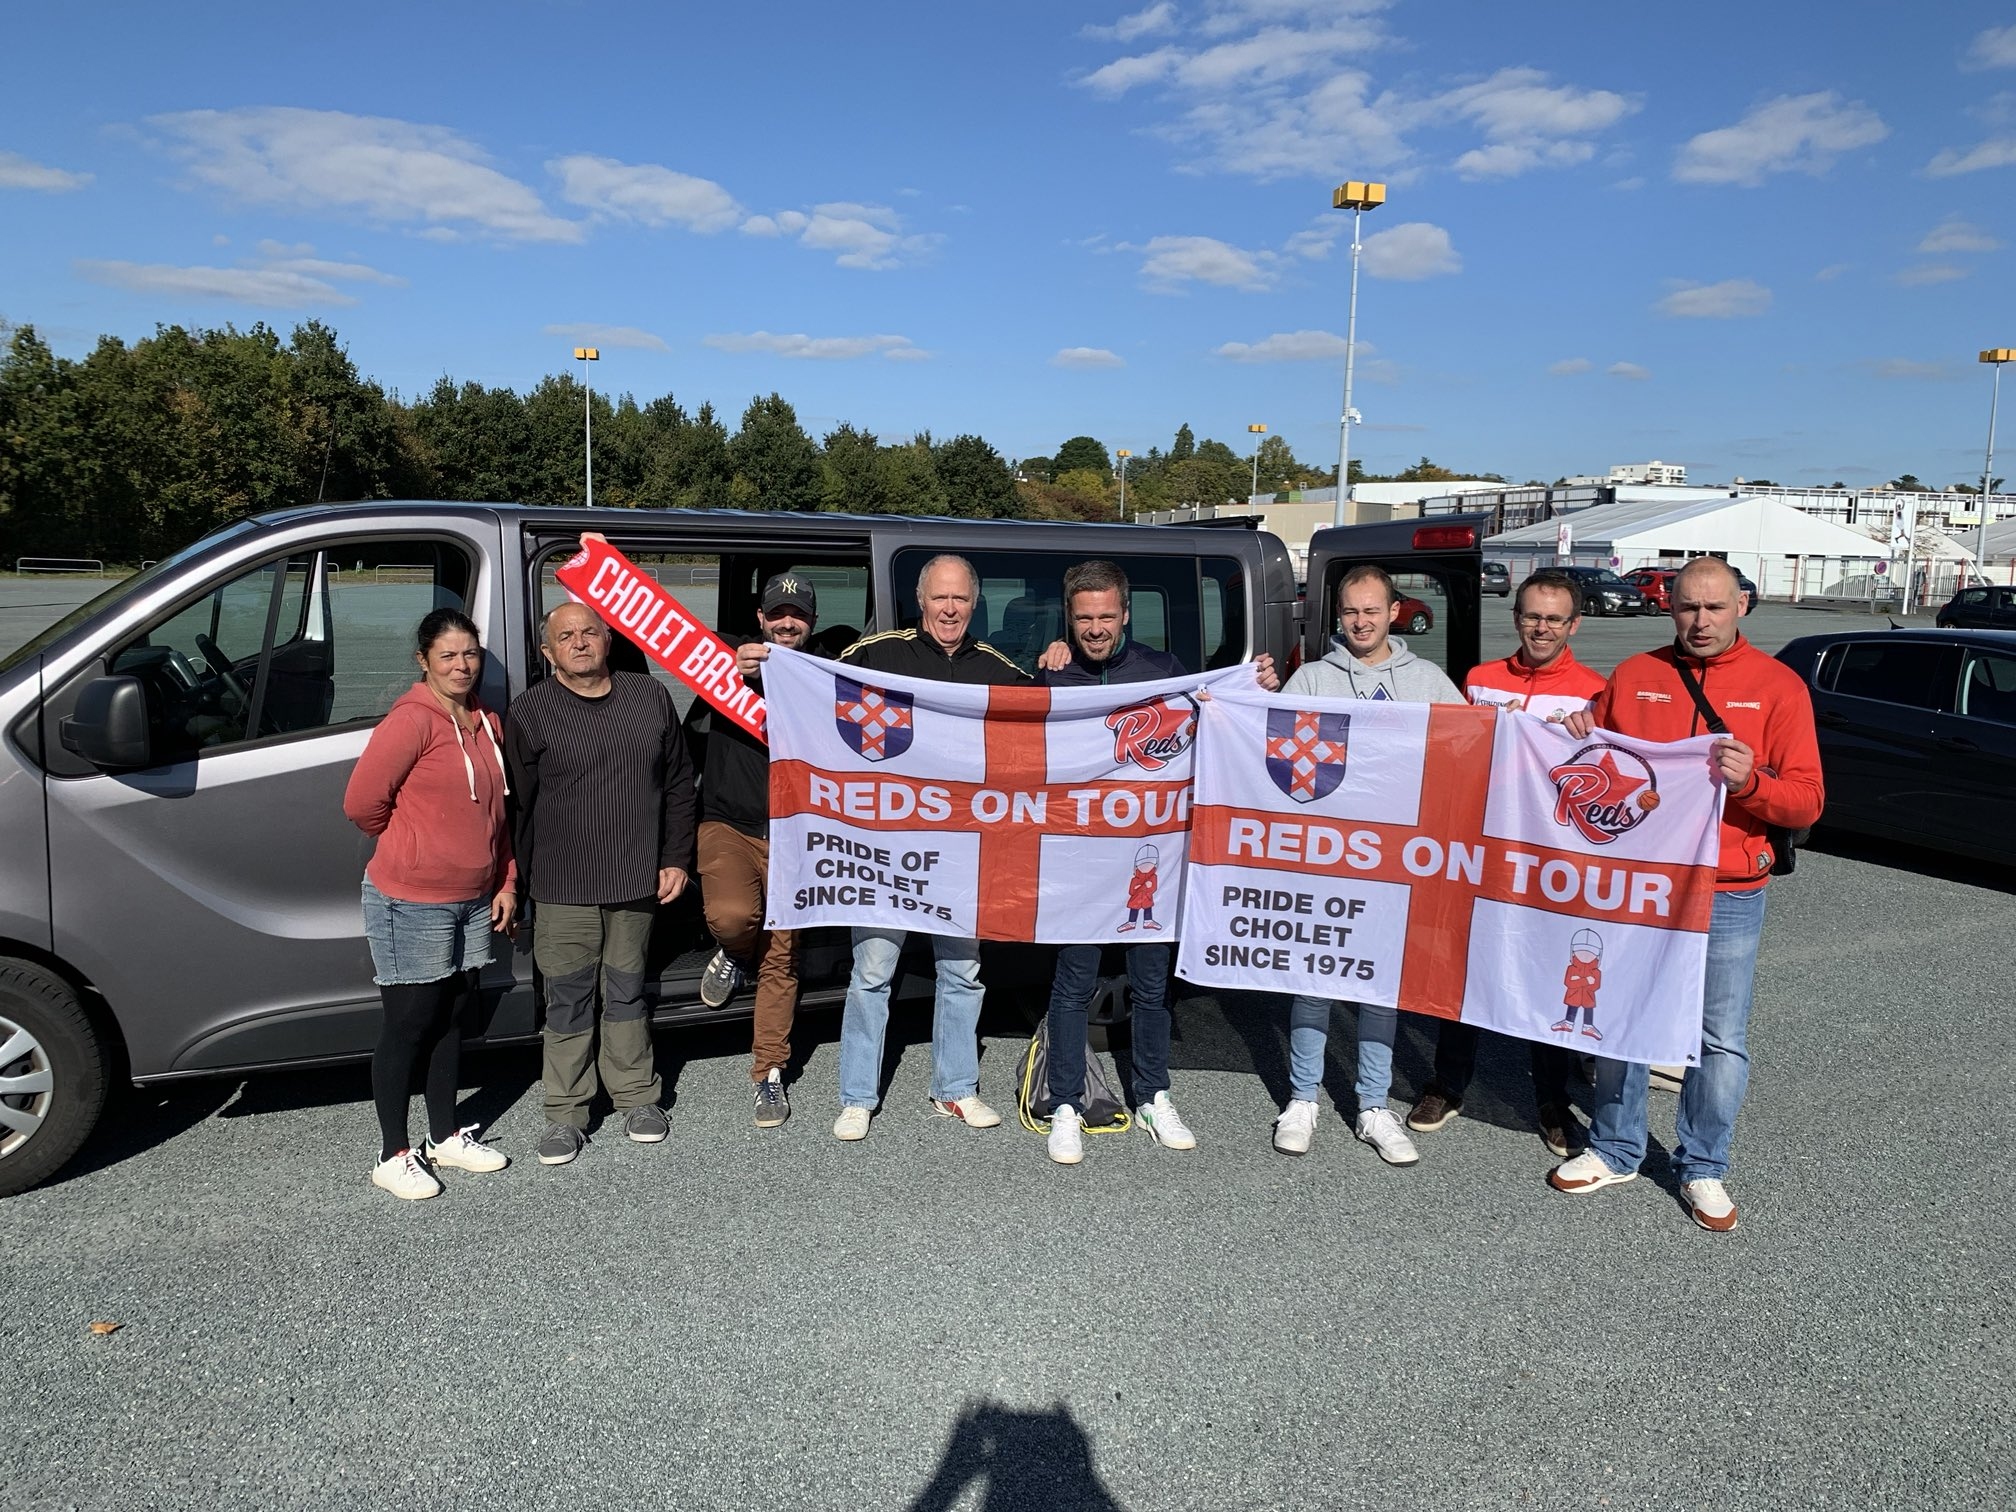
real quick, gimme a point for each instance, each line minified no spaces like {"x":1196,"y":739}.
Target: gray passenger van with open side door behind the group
{"x":180,"y":886}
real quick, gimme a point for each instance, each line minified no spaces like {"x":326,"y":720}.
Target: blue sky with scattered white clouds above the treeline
{"x":1757,"y":239}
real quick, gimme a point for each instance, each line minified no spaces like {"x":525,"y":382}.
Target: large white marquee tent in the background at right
{"x":1787,"y":553}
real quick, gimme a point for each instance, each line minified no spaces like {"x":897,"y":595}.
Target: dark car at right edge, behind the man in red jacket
{"x":1918,"y":735}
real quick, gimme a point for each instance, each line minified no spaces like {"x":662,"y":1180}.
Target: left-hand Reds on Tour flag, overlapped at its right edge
{"x":1007,"y":813}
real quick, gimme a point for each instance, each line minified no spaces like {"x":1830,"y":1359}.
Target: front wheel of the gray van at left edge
{"x":51,"y":1076}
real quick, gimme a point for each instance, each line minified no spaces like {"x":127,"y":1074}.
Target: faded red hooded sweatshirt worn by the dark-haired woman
{"x":436,"y":801}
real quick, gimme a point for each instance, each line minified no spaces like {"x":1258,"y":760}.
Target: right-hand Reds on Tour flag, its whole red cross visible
{"x":1457,"y":862}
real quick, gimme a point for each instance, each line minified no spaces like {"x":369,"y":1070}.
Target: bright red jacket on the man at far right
{"x":1767,"y":707}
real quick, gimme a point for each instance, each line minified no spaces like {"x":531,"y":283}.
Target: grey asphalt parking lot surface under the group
{"x":942,"y":1319}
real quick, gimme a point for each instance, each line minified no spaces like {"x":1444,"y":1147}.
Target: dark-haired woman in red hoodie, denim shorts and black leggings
{"x":432,"y":789}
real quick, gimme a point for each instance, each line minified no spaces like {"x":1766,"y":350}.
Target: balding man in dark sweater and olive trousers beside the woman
{"x":606,"y":834}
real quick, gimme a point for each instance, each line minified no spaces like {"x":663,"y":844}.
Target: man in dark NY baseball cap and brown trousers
{"x":735,"y":860}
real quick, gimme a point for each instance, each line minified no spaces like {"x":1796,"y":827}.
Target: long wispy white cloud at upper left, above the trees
{"x":386,"y":170}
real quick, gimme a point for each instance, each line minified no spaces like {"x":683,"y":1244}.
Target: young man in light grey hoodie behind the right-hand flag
{"x":1366,"y":660}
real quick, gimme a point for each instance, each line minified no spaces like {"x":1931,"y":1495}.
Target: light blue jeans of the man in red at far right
{"x":1715,"y":1090}
